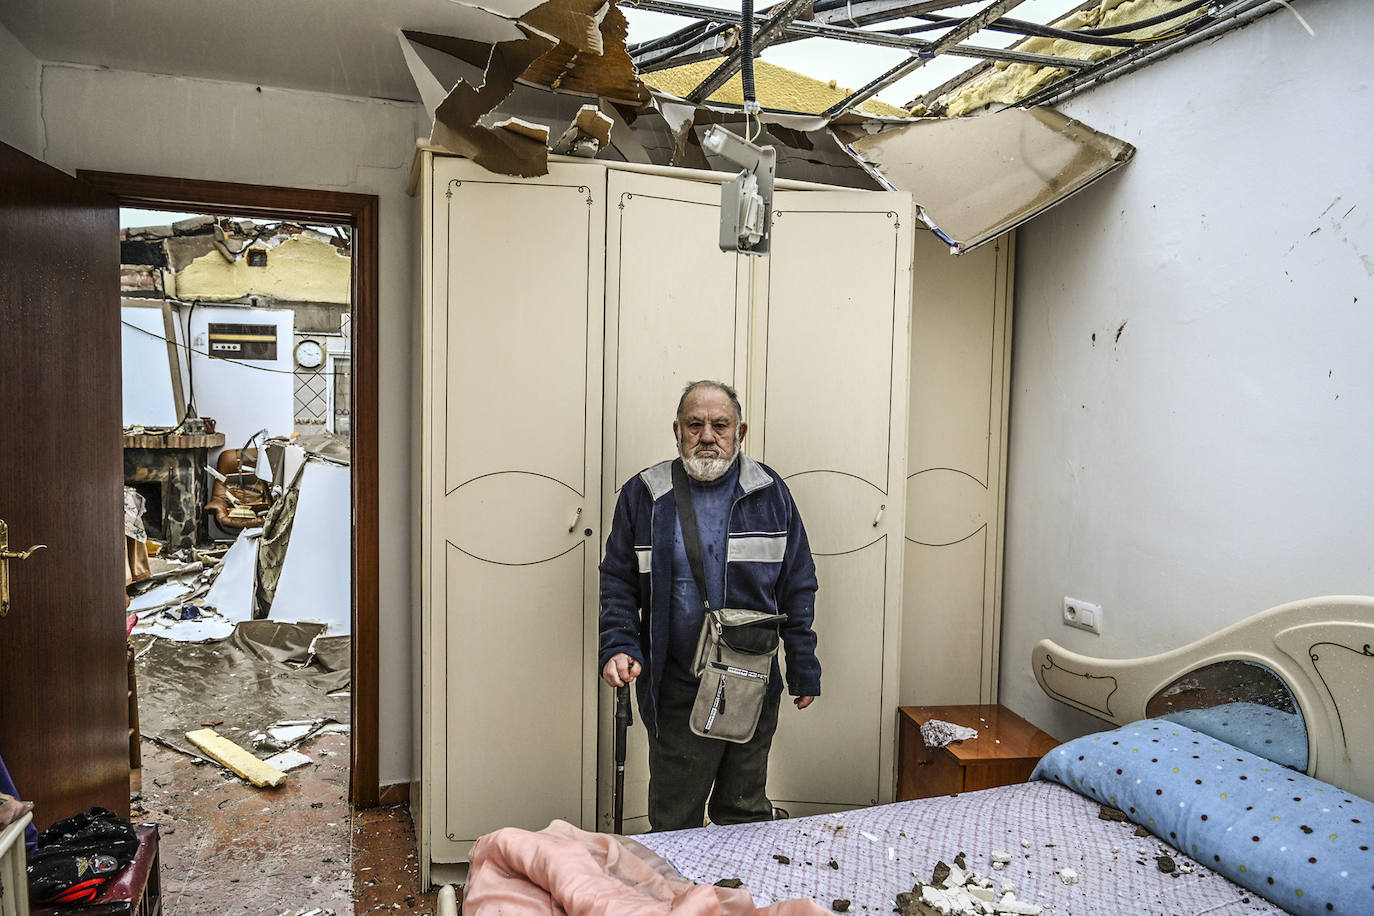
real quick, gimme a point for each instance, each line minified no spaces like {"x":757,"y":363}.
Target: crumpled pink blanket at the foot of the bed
{"x":563,"y":870}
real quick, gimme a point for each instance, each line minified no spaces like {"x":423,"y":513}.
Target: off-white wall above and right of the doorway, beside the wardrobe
{"x":122,"y":122}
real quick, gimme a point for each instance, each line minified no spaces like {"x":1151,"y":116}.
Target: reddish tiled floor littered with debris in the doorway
{"x":232,"y":848}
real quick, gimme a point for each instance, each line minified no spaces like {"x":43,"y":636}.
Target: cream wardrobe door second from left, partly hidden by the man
{"x":677,"y":311}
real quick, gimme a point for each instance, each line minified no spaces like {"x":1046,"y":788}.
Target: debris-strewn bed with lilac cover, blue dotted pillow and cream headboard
{"x":1237,"y":781}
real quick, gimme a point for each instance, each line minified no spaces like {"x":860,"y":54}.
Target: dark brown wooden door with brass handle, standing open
{"x":64,"y":713}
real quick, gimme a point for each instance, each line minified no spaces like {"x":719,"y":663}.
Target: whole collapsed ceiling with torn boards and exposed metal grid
{"x":508,"y":80}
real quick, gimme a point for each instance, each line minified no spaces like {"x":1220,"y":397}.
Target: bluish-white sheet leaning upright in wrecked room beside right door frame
{"x":317,"y":583}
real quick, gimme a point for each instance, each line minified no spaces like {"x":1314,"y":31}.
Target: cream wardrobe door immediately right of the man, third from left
{"x":829,"y":398}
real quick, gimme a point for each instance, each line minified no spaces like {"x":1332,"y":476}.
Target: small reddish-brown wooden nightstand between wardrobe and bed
{"x":1006,"y":751}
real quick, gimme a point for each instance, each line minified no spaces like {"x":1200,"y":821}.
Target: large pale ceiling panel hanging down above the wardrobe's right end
{"x":979,"y":178}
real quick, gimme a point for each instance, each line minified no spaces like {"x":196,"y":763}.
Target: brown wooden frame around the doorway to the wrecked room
{"x":361,"y":212}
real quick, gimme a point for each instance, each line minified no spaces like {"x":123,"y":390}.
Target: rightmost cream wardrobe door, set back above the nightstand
{"x":961,"y":355}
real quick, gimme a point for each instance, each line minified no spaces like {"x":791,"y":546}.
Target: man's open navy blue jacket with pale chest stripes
{"x":769,"y":568}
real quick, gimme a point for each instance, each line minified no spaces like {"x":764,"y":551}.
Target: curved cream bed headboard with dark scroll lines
{"x":1311,"y":659}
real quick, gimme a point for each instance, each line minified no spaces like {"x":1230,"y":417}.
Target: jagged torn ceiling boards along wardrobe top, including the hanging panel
{"x":973,"y":179}
